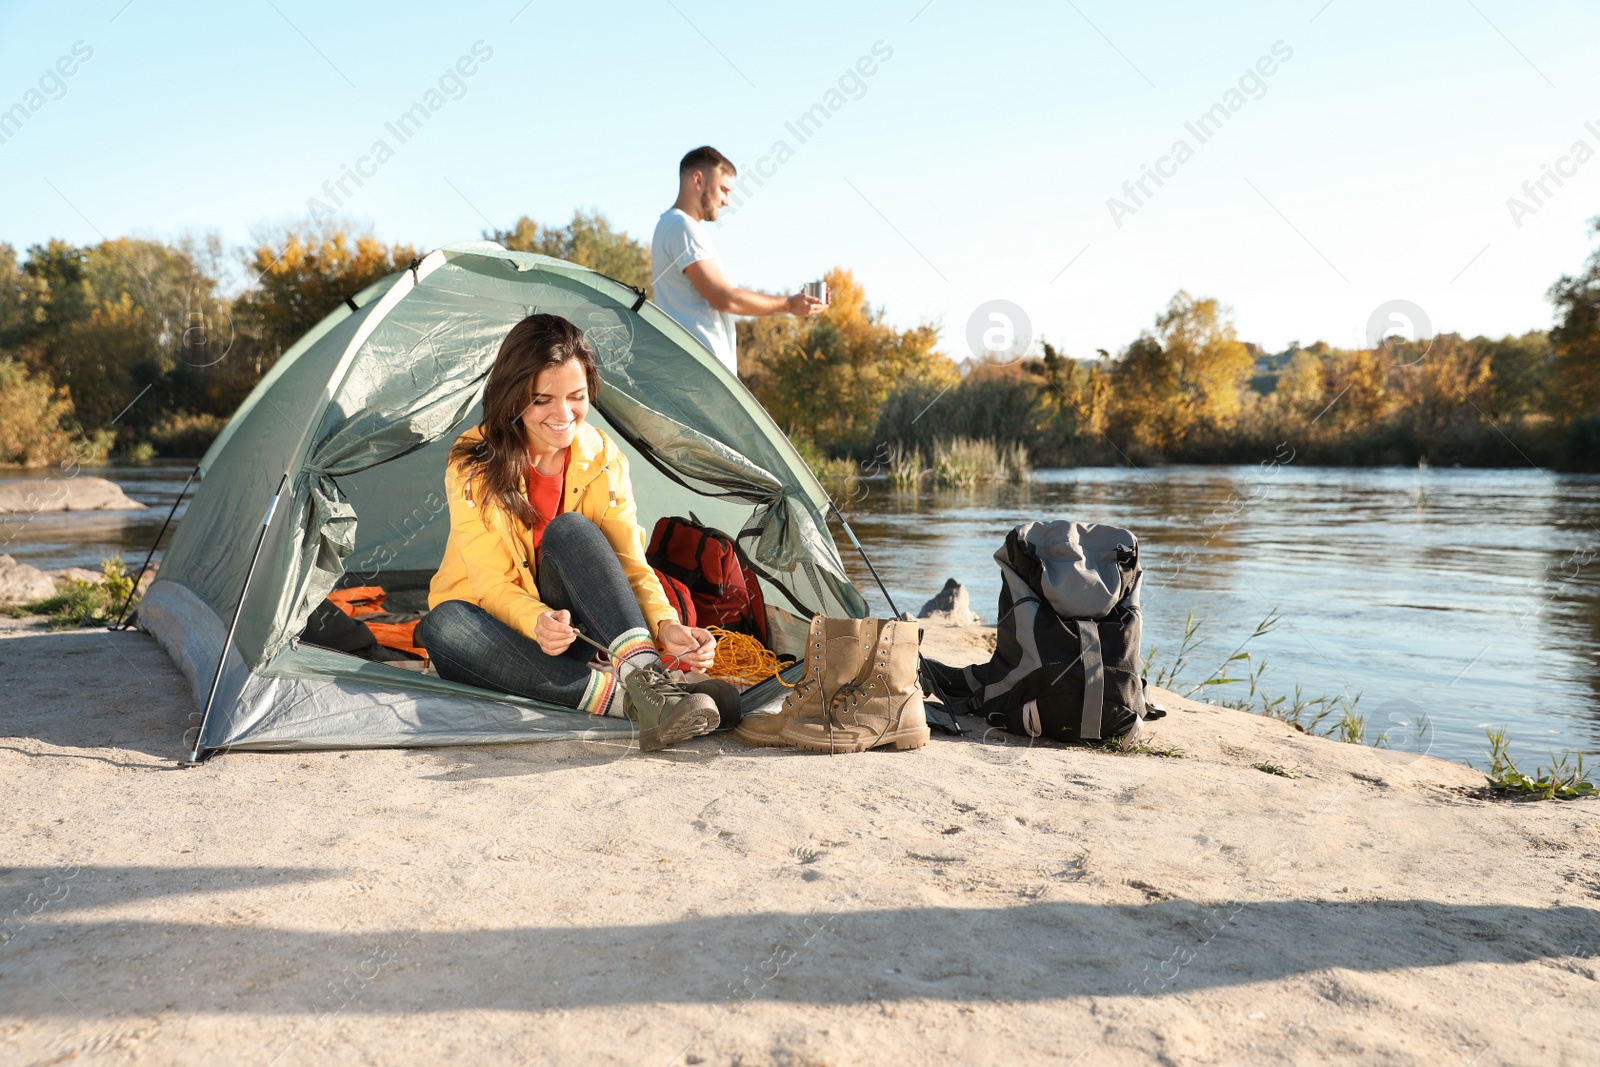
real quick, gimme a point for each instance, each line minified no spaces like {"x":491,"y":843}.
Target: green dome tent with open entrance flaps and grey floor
{"x":332,"y":474}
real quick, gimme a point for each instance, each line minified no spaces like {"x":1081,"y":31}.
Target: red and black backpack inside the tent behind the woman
{"x":719,"y":580}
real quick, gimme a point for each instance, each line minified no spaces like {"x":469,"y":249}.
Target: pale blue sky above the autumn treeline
{"x":975,"y":164}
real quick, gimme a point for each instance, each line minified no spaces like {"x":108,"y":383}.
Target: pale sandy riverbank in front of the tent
{"x":718,"y":905}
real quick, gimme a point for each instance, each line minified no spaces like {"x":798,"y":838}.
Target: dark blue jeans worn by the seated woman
{"x":578,"y":573}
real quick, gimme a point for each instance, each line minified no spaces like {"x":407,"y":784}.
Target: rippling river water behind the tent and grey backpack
{"x":1471,"y":596}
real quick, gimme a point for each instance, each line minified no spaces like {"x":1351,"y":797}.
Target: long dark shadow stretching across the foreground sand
{"x":426,"y":961}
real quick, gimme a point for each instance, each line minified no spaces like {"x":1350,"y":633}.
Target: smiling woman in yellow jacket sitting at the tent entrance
{"x":545,"y":540}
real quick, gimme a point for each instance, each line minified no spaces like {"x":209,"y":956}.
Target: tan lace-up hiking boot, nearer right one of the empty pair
{"x":881,"y":706}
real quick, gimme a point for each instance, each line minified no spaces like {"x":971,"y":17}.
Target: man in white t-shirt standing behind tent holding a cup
{"x":690,"y":284}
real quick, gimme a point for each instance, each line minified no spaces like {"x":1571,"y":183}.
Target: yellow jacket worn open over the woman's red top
{"x":487,"y":549}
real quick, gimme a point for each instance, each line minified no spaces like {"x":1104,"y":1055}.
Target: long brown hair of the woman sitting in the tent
{"x":500,"y":463}
